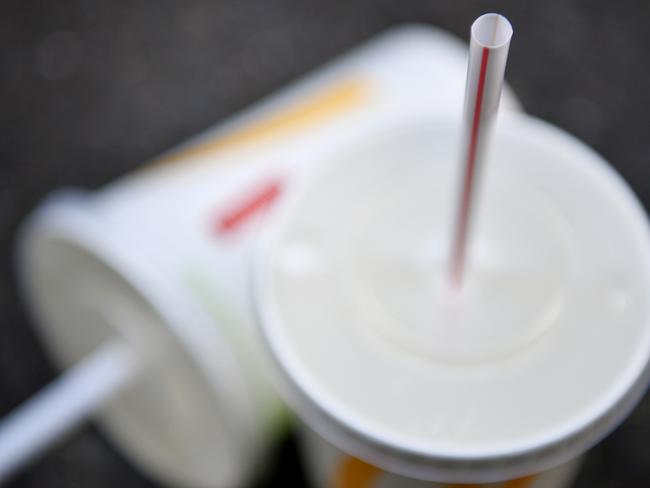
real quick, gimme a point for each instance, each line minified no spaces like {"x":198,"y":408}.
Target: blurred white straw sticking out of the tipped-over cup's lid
{"x":64,"y":404}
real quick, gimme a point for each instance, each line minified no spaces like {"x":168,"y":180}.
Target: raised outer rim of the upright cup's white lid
{"x":485,"y":465}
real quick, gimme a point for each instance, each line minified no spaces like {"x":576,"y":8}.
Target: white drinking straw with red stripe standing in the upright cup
{"x":488,"y":53}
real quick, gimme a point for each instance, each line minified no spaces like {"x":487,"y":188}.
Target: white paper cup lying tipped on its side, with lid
{"x":159,"y":258}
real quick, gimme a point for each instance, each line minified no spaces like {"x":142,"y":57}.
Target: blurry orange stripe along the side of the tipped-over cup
{"x":319,"y":107}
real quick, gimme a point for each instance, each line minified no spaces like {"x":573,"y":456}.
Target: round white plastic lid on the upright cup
{"x":546,"y":351}
